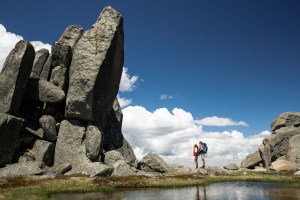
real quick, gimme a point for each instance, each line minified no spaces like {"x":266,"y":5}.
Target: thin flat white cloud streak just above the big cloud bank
{"x":219,"y":121}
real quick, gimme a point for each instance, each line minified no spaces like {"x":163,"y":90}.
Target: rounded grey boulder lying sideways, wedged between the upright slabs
{"x":44,"y":91}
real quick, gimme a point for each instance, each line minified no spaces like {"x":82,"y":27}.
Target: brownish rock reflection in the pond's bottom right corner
{"x":283,"y":193}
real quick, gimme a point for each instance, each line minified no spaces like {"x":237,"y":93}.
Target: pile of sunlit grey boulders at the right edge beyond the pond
{"x":282,"y":144}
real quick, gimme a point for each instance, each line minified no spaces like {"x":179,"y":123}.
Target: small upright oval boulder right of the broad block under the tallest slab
{"x":93,"y":142}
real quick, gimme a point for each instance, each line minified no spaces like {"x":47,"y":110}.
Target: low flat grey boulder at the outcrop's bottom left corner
{"x":28,"y":168}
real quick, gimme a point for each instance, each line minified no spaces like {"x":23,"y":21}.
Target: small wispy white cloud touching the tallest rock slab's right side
{"x":128,"y":83}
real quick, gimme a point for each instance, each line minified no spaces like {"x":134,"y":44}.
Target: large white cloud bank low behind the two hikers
{"x":172,"y":134}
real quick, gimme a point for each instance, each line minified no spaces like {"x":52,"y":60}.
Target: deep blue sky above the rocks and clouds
{"x":236,"y":59}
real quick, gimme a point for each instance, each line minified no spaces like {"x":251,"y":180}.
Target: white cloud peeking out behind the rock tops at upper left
{"x":8,"y":41}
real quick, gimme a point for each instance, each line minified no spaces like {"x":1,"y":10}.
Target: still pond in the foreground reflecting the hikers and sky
{"x":216,"y":191}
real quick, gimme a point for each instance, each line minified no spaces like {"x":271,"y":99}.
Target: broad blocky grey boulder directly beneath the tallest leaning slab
{"x":70,"y":146}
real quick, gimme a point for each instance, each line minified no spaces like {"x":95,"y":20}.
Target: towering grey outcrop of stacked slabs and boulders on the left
{"x":60,"y":108}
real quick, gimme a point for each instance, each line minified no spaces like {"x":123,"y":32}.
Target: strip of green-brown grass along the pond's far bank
{"x":36,"y":188}
